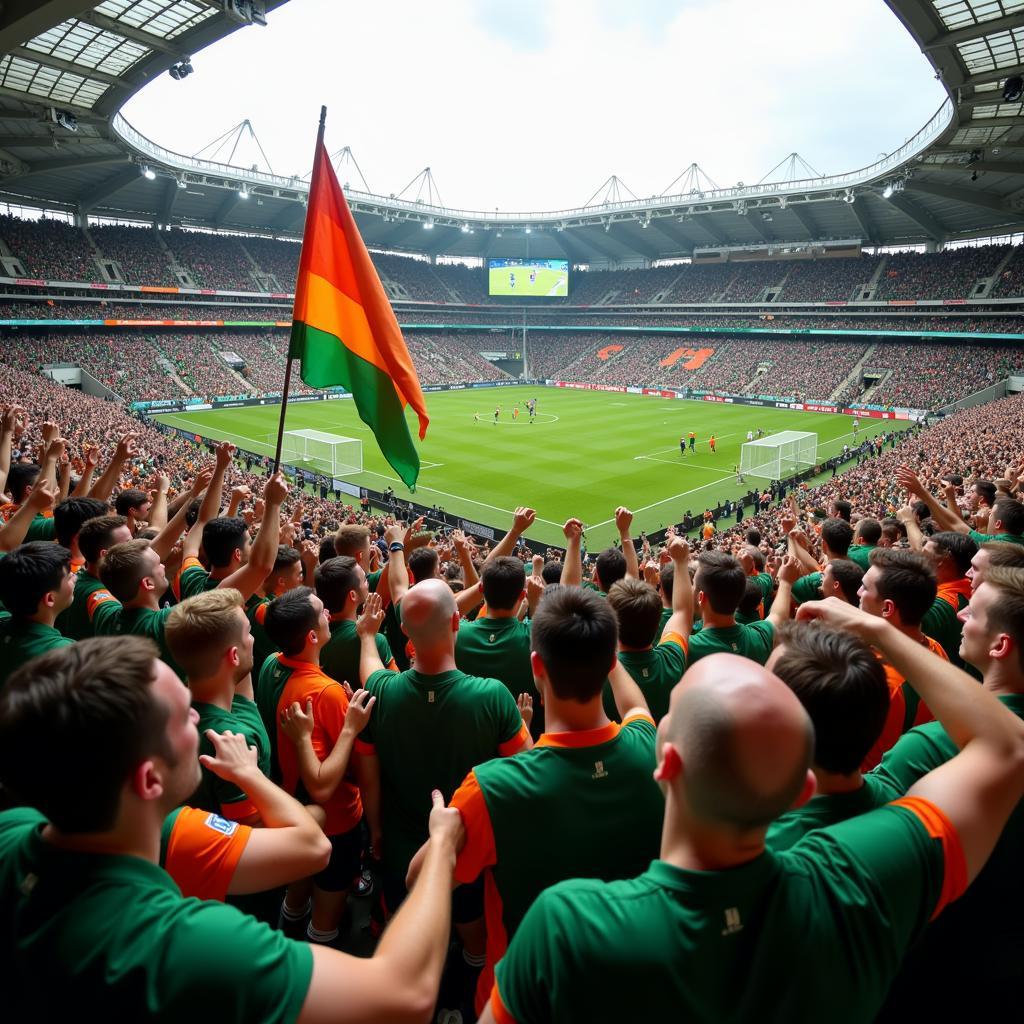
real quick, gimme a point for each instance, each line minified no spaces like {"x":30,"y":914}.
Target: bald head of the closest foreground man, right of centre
{"x":745,"y":740}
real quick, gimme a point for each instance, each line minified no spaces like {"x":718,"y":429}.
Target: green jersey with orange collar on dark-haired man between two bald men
{"x":590,"y":795}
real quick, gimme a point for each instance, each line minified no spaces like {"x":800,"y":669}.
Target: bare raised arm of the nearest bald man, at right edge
{"x":977,"y":790}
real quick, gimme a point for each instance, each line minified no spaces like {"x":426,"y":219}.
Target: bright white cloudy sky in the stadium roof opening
{"x":530,"y":106}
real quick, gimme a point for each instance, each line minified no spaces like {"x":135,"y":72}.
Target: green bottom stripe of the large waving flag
{"x":327,"y":363}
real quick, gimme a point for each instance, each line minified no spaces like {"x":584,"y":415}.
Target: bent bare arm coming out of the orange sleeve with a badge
{"x":291,"y":845}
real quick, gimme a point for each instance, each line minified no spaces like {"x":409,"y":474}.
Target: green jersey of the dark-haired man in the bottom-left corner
{"x":114,"y":933}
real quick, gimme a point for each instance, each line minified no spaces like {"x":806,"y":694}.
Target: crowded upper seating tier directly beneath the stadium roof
{"x":51,"y":250}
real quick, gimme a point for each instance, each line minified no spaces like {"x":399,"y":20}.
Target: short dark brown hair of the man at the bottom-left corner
{"x":91,"y":704}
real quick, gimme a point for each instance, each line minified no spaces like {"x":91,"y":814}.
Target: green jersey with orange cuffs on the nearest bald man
{"x":818,"y":932}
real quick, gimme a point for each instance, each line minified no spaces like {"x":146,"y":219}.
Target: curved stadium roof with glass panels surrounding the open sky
{"x":961,"y":177}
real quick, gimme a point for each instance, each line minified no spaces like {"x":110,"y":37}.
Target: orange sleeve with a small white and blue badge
{"x":201,"y":851}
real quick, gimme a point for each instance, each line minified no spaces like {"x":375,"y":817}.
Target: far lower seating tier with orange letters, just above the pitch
{"x":155,"y":365}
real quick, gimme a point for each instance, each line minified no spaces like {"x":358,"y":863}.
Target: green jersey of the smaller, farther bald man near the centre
{"x":428,"y":733}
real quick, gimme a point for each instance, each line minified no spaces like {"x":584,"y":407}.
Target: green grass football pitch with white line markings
{"x":587,"y":453}
